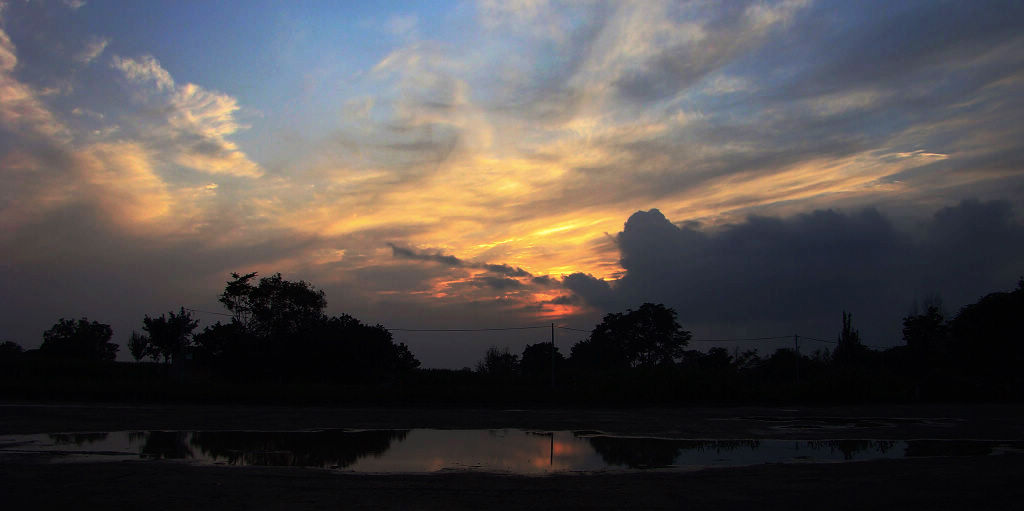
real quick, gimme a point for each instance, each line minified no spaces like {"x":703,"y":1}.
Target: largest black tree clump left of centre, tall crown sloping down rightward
{"x":279,"y":331}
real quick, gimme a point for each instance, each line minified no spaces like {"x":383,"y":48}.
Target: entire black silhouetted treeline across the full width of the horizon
{"x":280,"y":346}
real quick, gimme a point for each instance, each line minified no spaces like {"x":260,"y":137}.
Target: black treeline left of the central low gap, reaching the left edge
{"x":279,"y":340}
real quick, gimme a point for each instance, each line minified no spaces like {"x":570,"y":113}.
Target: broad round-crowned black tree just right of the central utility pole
{"x":648,"y":337}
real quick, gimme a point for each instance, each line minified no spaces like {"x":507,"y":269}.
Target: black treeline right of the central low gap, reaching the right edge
{"x":643,"y":356}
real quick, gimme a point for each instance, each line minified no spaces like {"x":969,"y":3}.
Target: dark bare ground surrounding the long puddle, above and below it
{"x":964,"y":483}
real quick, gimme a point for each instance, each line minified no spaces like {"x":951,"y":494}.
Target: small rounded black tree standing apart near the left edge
{"x":80,"y":339}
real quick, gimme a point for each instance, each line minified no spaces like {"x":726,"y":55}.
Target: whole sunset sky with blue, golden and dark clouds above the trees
{"x":759,"y":166}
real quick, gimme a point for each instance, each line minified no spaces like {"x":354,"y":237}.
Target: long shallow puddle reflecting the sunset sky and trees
{"x":504,"y":451}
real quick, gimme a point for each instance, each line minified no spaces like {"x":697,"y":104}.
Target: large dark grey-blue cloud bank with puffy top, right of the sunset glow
{"x":799,"y":274}
